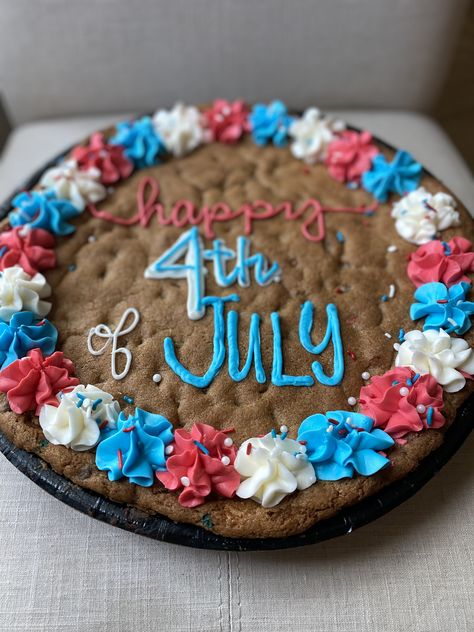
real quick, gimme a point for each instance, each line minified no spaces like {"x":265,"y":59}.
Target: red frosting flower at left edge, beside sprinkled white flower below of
{"x":34,"y":380}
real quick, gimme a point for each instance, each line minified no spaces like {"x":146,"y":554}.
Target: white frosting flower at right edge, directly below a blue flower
{"x":435,"y":351}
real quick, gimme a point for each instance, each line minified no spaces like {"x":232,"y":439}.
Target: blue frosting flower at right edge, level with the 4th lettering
{"x":443,"y":307}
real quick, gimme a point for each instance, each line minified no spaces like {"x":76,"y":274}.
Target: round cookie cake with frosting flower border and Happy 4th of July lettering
{"x":234,"y":316}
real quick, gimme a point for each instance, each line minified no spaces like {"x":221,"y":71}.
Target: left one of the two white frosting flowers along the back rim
{"x":180,"y":128}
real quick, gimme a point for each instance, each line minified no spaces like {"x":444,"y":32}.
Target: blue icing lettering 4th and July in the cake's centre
{"x":190,"y":248}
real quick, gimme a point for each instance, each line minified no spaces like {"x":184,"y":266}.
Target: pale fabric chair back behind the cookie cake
{"x":91,"y":55}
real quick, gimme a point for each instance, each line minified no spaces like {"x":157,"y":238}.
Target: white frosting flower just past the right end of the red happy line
{"x":420,"y":215}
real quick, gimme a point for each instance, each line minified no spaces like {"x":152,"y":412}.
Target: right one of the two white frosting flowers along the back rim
{"x":311,"y":135}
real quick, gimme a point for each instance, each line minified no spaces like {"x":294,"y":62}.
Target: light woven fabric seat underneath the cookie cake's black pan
{"x":411,"y":570}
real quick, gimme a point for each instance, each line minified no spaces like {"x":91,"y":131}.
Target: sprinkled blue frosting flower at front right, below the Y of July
{"x":341,"y":443}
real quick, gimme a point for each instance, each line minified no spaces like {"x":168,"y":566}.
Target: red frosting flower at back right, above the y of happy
{"x":350,"y":155}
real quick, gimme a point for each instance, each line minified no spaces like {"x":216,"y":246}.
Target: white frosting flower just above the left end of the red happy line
{"x":70,"y":183}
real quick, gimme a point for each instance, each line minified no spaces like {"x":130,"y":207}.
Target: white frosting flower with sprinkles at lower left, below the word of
{"x":76,"y":423}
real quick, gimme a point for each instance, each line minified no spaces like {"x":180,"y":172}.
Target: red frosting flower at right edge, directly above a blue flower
{"x":441,"y":261}
